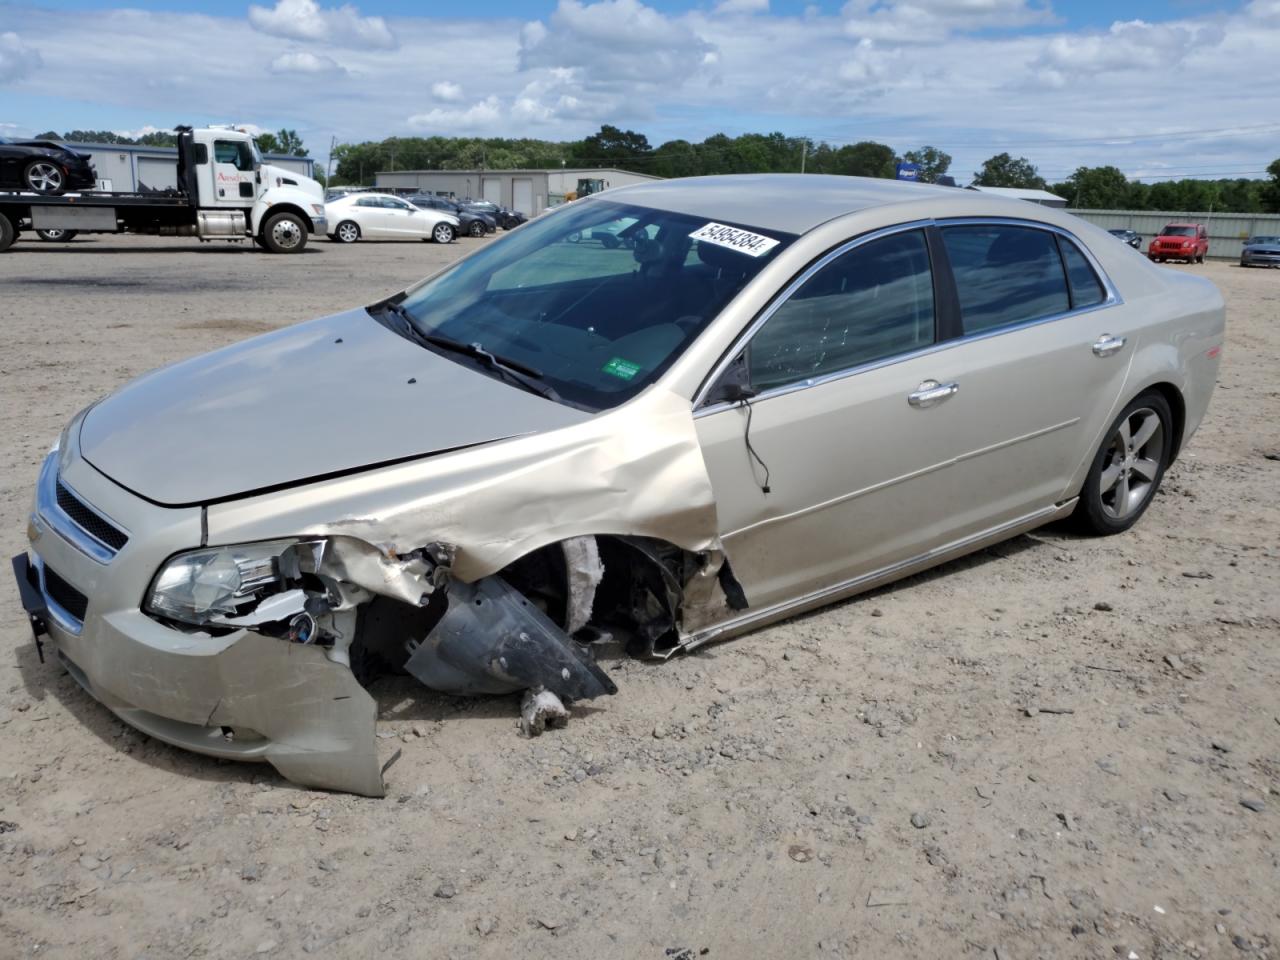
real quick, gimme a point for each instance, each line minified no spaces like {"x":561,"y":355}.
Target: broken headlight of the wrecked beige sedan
{"x":203,"y":587}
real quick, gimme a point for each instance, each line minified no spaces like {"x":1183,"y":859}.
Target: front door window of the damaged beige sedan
{"x":872,"y":303}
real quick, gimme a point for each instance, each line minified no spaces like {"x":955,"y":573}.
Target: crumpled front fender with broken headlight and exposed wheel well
{"x":487,"y":572}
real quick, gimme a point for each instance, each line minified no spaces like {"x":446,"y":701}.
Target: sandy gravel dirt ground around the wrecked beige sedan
{"x":1057,"y":748}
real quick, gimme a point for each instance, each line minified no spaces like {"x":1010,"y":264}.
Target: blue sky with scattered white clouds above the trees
{"x":1159,"y":90}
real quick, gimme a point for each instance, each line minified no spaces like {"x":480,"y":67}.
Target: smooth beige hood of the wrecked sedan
{"x":323,"y":399}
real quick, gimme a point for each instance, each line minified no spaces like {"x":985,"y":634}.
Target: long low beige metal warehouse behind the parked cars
{"x":528,"y":191}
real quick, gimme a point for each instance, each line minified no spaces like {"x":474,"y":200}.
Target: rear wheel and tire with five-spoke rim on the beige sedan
{"x":1128,"y":468}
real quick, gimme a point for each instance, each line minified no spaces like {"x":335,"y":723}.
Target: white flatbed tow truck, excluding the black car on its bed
{"x":225,"y":193}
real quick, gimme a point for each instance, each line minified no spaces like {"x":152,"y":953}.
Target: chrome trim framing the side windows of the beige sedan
{"x":1112,"y":299}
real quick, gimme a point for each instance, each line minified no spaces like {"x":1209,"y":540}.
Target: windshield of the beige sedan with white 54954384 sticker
{"x":597,"y":300}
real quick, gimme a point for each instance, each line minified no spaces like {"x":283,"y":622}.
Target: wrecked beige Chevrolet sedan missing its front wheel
{"x":769,"y":395}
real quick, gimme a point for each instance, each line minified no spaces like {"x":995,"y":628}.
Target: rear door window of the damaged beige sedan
{"x":1005,"y":275}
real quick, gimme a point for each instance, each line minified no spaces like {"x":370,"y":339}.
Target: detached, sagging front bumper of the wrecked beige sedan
{"x":237,"y":696}
